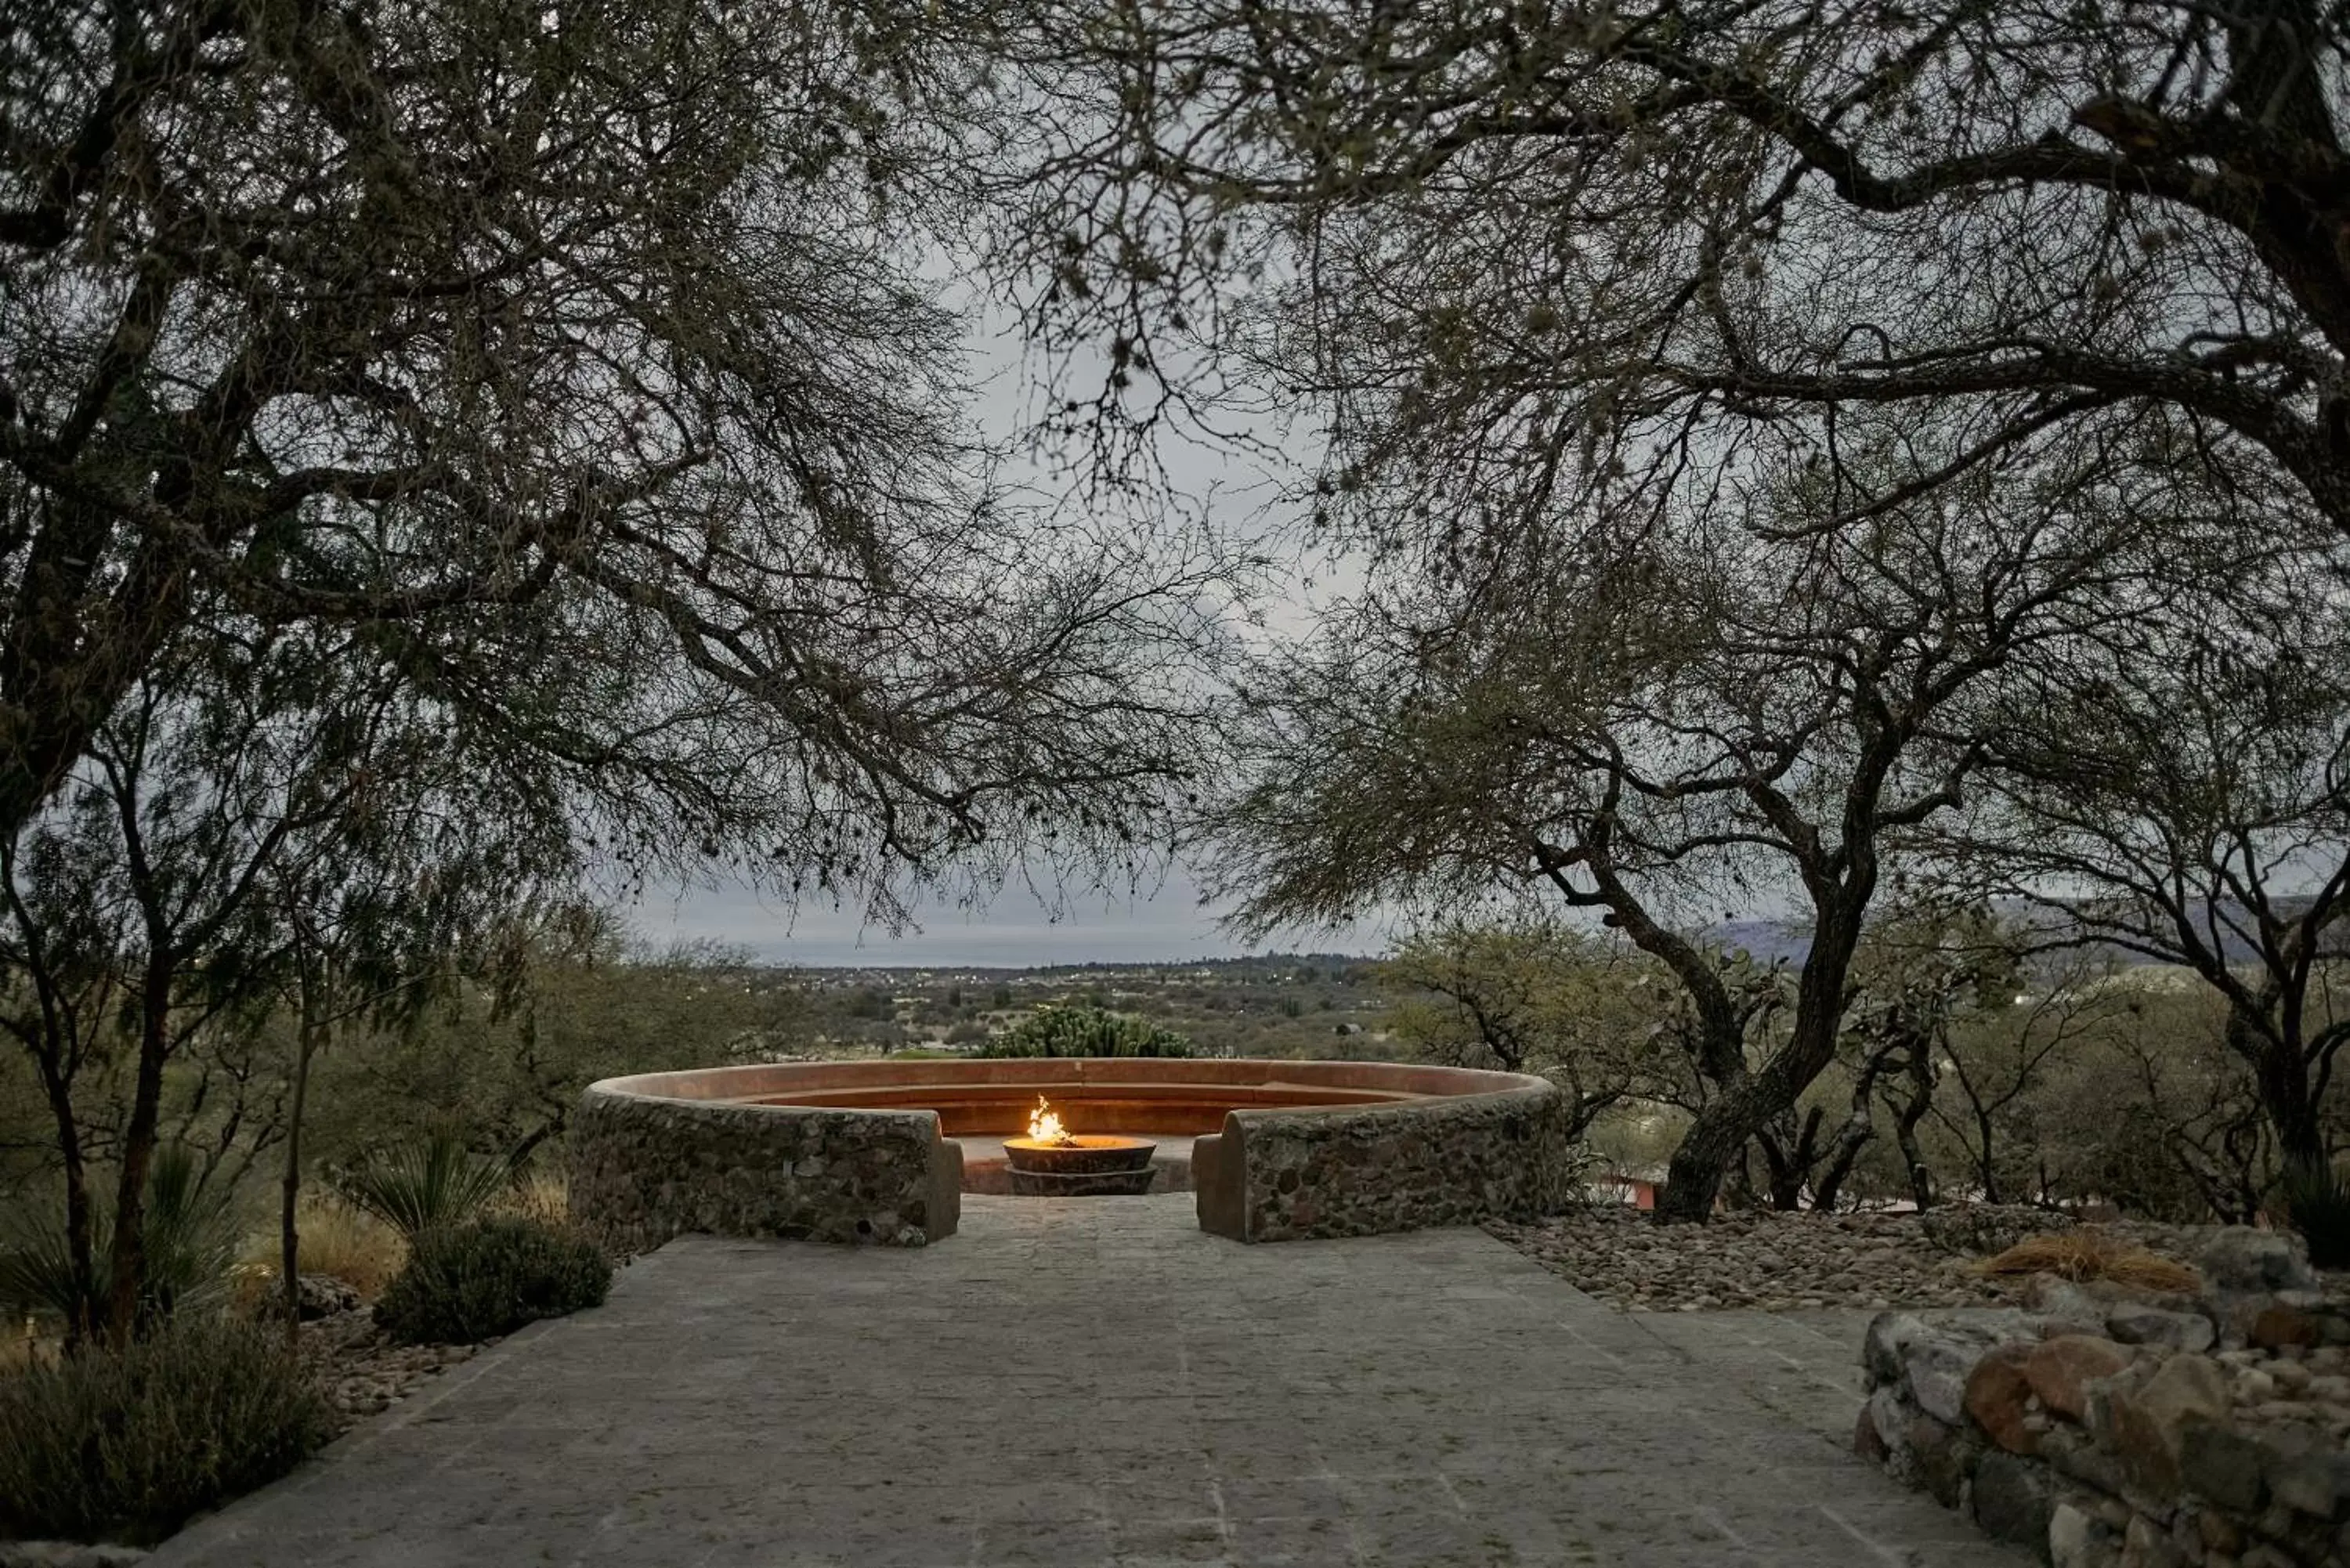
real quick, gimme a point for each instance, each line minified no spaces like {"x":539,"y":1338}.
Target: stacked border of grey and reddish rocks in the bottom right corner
{"x":2111,"y":1428}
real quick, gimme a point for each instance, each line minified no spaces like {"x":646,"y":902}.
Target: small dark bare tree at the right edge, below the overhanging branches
{"x":2187,"y":798}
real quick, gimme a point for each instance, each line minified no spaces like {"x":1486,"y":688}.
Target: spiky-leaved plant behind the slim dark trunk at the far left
{"x":187,"y":1249}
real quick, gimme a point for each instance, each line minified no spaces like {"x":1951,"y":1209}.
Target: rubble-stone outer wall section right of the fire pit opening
{"x":1404,"y":1167}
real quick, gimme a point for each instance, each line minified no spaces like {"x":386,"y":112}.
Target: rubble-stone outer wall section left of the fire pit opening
{"x":645,"y":1170}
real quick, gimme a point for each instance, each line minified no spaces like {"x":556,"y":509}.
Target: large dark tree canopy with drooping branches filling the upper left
{"x":586,"y":366}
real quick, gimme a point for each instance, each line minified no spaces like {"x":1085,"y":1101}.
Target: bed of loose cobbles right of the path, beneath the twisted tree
{"x":1778,"y":1261}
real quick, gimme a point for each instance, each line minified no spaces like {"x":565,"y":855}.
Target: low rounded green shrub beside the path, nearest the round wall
{"x":490,"y":1278}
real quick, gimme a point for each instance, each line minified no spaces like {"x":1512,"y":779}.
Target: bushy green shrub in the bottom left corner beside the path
{"x":128,"y":1445}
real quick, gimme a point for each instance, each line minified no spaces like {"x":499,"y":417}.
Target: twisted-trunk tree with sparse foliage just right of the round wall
{"x":1670,"y":716}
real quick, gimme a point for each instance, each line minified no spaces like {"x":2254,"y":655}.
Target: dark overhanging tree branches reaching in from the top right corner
{"x":1552,"y":246}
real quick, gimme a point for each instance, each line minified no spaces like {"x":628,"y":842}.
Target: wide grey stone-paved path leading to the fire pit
{"x":1096,"y":1383}
